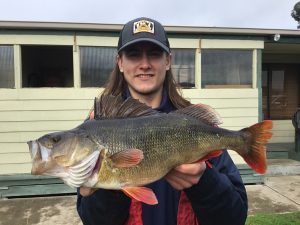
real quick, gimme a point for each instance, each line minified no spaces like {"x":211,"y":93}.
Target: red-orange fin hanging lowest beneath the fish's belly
{"x":141,"y":194}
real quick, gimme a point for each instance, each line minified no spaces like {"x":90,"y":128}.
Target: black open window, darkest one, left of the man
{"x":47,"y":66}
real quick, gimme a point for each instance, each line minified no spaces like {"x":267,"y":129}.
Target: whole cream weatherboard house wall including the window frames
{"x":28,"y":113}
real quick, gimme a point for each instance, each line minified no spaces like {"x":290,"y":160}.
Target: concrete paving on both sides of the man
{"x":278,"y":195}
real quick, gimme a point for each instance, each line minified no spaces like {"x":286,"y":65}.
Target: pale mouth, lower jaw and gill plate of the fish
{"x":74,"y":176}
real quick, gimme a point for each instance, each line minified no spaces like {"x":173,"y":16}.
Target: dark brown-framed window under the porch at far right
{"x":280,"y":90}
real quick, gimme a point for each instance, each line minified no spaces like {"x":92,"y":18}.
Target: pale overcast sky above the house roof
{"x":203,"y":13}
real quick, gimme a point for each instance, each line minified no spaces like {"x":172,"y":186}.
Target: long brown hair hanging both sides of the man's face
{"x":117,"y":84}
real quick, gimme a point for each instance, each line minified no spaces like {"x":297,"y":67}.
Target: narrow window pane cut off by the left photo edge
{"x":7,"y":67}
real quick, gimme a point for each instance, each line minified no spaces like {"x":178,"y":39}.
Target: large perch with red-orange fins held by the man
{"x":129,"y":145}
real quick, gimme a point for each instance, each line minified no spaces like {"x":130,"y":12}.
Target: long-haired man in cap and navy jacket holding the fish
{"x":206,"y":193}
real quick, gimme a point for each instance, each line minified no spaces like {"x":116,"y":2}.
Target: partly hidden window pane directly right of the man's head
{"x":183,"y":67}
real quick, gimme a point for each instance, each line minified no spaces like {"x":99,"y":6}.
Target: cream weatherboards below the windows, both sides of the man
{"x":27,"y":114}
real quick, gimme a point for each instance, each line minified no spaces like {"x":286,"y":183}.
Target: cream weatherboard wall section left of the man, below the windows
{"x":26,"y":114}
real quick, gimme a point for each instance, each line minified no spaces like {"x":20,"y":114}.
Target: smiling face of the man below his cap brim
{"x":144,"y":66}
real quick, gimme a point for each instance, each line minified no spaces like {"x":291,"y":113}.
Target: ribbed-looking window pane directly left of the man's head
{"x":96,"y":64}
